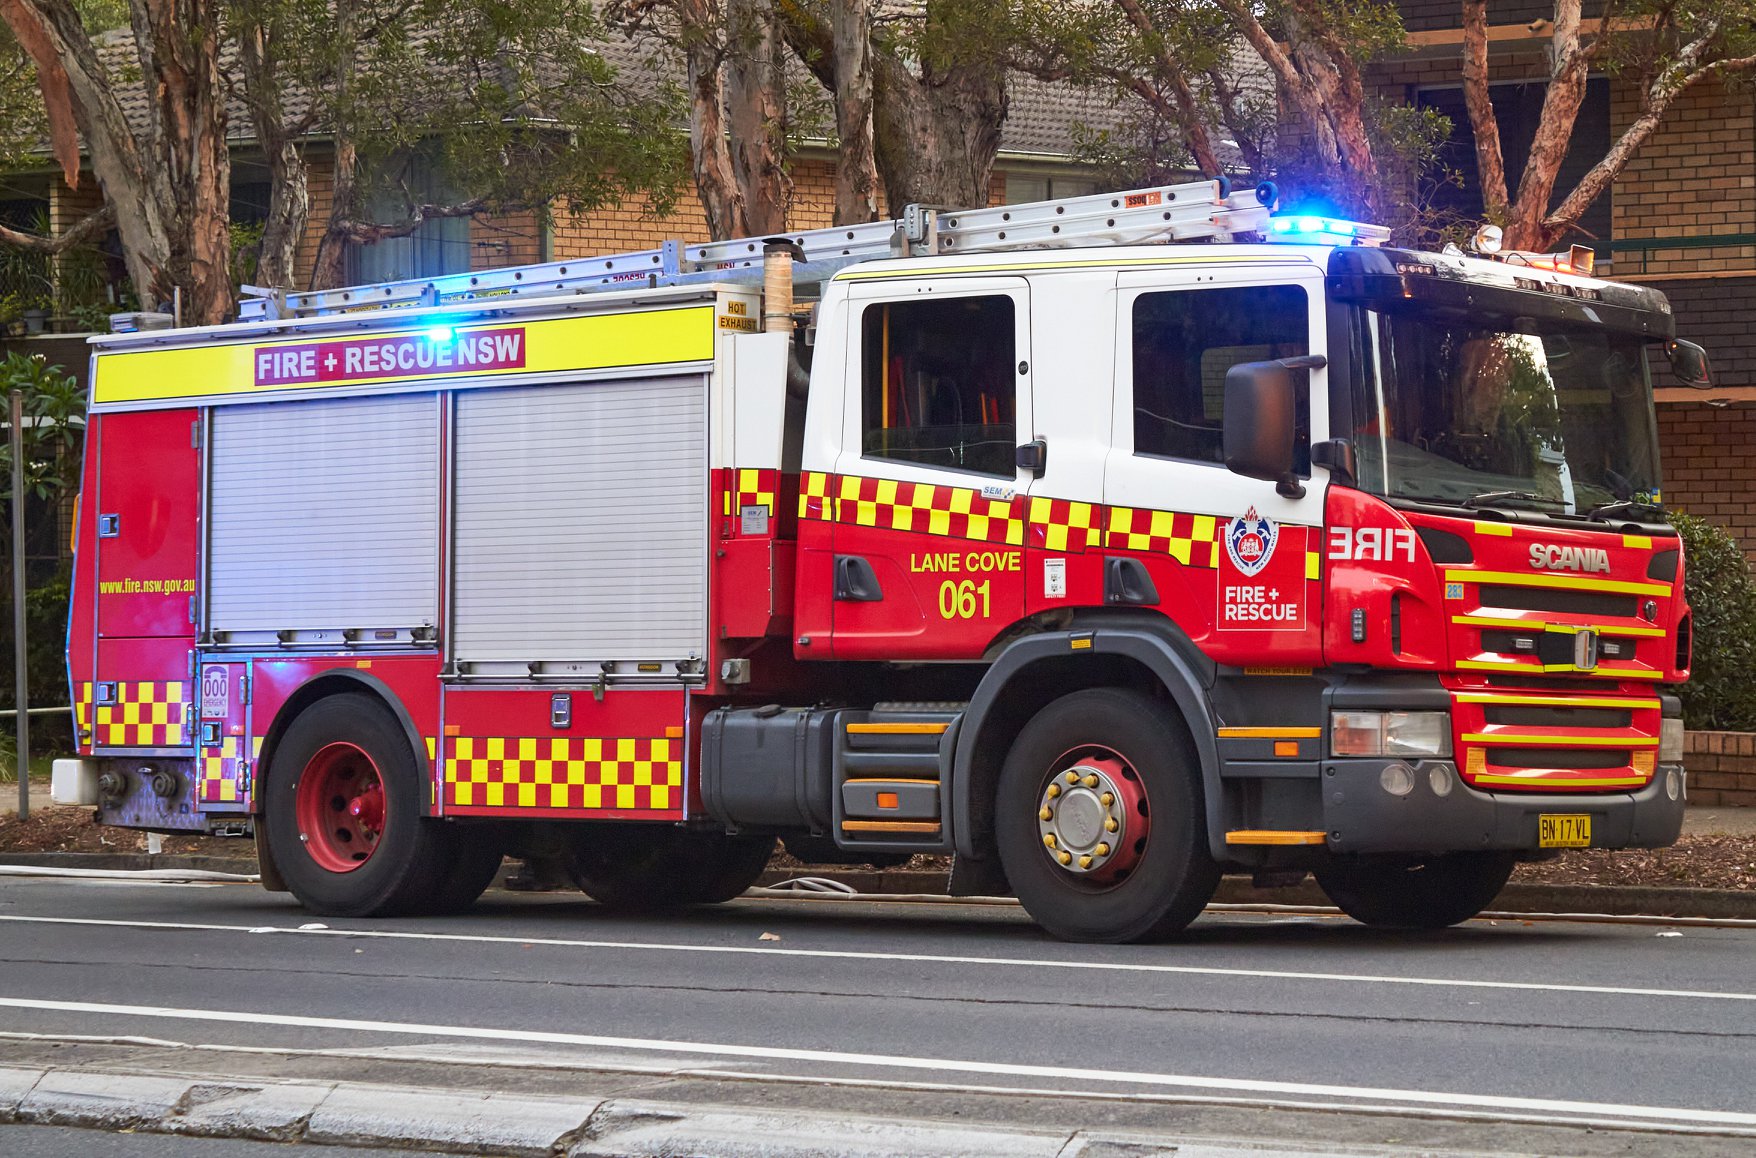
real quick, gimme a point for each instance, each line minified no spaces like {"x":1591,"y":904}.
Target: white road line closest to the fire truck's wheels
{"x":925,"y":959}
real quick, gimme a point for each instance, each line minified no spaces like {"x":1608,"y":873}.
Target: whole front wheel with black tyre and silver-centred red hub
{"x":1100,"y":820}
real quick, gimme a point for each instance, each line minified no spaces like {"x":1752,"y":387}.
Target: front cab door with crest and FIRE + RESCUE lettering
{"x":1235,"y":561}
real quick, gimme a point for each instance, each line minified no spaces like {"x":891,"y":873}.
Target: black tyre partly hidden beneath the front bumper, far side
{"x":1429,"y":895}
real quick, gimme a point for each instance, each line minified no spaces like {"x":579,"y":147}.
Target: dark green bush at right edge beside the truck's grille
{"x":1722,"y":691}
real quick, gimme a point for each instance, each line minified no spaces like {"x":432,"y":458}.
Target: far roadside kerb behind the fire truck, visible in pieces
{"x":1516,"y":899}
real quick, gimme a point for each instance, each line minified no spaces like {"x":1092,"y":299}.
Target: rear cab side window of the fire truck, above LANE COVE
{"x":939,"y":384}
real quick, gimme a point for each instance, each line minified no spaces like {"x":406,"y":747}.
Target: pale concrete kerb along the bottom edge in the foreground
{"x":342,"y":1113}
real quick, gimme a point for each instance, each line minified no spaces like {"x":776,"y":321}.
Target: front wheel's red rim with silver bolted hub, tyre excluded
{"x":1093,"y":816}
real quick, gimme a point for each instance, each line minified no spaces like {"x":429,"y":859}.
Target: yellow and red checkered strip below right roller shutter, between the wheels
{"x":565,"y":772}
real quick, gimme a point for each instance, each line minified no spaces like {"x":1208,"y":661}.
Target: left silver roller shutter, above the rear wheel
{"x":326,"y":517}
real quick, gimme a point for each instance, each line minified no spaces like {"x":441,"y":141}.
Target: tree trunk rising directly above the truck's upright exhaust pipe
{"x":756,"y":98}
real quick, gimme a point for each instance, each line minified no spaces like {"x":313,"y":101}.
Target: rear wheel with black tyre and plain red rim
{"x":345,"y":814}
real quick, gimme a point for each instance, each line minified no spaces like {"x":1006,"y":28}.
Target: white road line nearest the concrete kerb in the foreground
{"x":954,"y":1066}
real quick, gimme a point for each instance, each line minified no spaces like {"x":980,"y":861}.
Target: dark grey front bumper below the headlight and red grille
{"x":1360,"y":816}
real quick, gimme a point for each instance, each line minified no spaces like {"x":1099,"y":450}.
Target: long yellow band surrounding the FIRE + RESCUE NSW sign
{"x":559,"y":345}
